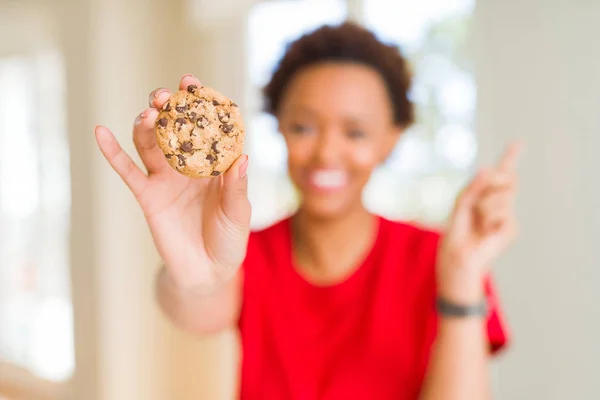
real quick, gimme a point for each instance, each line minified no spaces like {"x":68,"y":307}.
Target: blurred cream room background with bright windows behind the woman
{"x":77,"y":313}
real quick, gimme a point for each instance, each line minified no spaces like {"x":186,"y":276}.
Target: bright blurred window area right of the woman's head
{"x":433,"y":159}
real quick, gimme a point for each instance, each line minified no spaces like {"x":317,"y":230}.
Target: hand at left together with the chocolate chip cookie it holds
{"x":194,"y":194}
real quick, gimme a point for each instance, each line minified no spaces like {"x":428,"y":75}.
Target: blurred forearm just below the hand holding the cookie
{"x":201,"y":310}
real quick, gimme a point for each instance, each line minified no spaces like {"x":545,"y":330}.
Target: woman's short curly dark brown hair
{"x":347,"y":42}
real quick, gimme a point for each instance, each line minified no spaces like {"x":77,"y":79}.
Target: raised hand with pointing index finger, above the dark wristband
{"x":481,"y":227}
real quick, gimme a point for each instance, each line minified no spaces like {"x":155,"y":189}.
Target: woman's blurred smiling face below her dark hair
{"x":337,"y":120}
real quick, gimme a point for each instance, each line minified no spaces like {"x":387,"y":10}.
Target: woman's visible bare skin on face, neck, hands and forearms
{"x":334,"y":117}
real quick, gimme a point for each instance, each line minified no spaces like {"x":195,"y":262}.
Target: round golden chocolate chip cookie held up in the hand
{"x":200,"y":131}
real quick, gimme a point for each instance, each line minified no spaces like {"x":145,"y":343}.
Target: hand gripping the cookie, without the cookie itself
{"x":200,"y":226}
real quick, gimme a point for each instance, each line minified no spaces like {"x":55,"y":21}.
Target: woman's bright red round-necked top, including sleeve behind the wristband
{"x":368,"y":337}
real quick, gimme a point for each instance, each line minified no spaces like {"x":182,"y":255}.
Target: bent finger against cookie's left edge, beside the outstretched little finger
{"x":145,"y":142}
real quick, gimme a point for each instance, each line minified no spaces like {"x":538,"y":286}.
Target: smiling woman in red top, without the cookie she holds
{"x":334,"y":302}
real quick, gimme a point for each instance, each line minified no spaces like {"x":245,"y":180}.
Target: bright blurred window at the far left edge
{"x":35,"y":304}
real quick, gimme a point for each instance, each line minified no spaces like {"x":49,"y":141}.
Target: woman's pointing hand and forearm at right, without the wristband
{"x":480,"y":228}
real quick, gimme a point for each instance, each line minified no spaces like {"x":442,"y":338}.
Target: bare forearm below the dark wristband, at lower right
{"x":458,"y":366}
